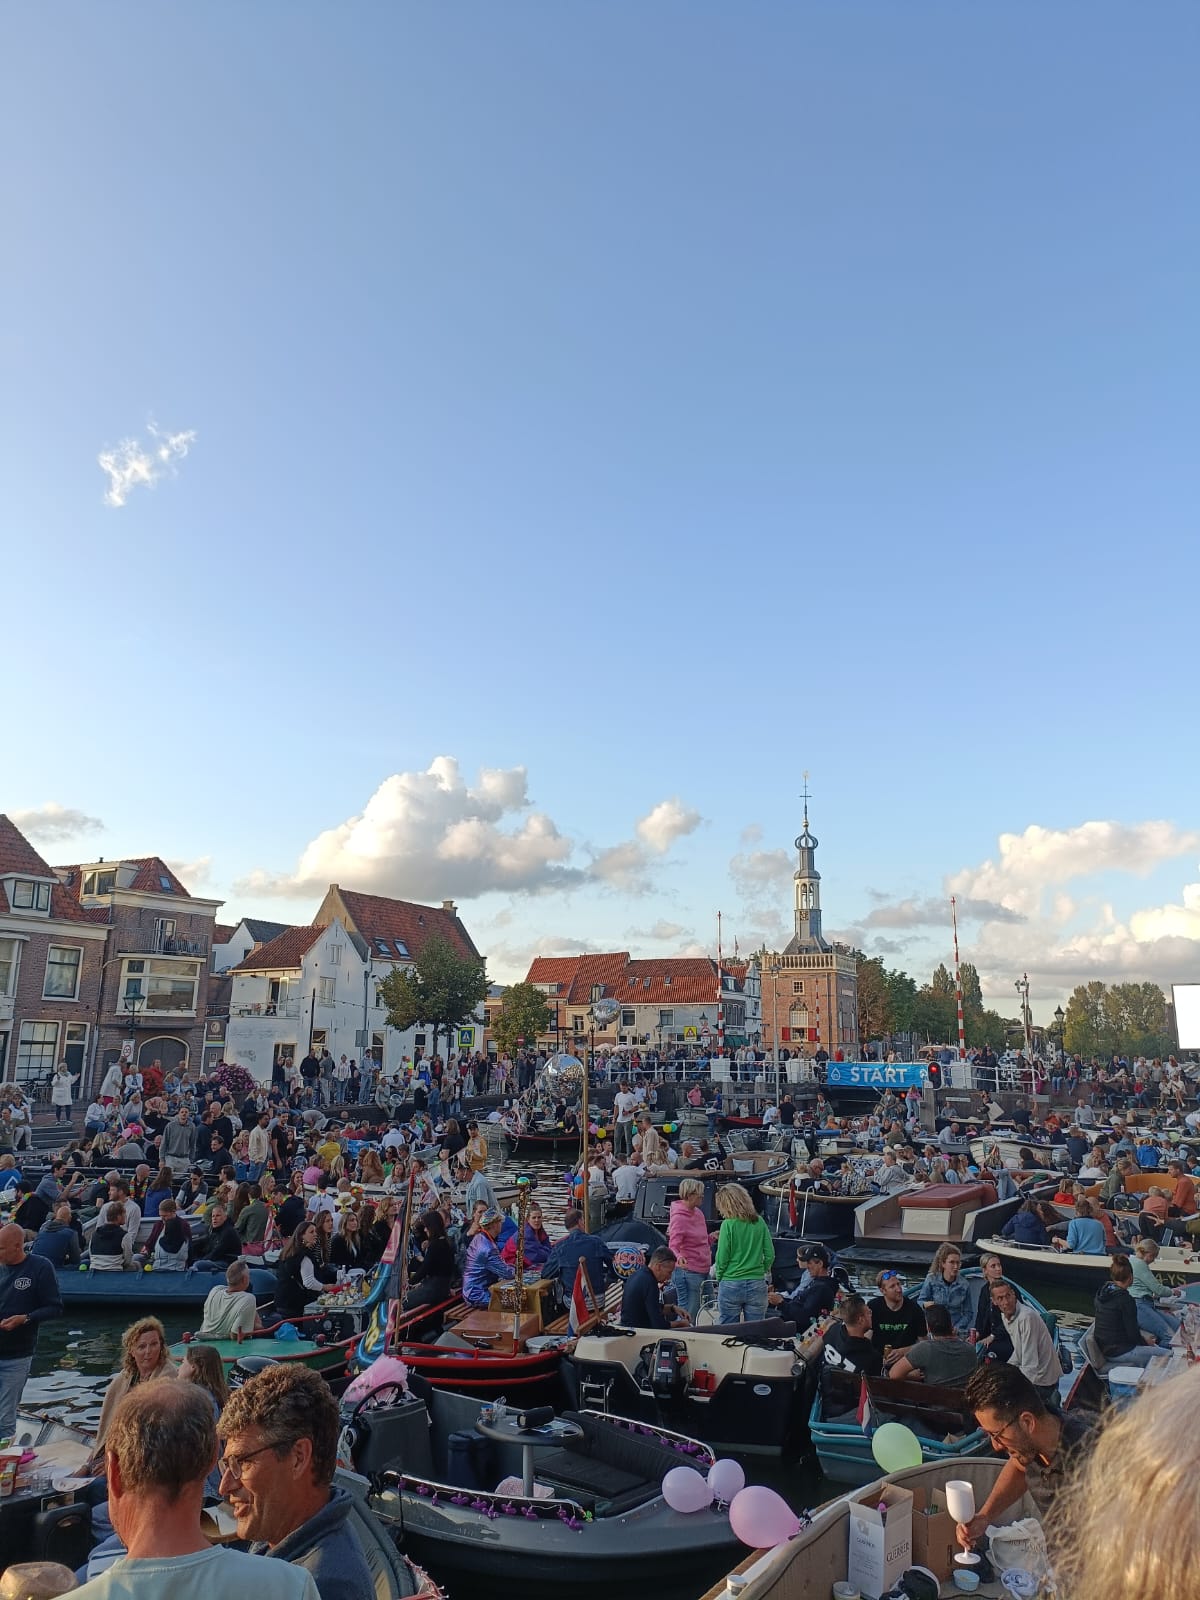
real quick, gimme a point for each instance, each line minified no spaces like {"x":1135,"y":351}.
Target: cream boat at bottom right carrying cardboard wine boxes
{"x":818,"y":1556}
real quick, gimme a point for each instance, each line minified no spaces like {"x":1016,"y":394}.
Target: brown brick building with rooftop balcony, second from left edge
{"x":154,"y":991}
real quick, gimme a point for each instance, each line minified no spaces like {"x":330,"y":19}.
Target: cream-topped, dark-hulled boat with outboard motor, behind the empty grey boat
{"x":742,"y":1386}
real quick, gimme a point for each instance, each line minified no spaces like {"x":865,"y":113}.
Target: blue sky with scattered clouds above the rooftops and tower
{"x":494,"y":452}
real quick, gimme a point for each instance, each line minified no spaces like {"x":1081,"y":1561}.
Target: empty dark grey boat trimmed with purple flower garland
{"x":455,"y":1498}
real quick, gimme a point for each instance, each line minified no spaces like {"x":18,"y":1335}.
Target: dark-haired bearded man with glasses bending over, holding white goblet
{"x":1042,"y":1446}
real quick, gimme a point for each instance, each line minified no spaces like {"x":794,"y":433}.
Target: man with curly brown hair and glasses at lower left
{"x":281,"y":1450}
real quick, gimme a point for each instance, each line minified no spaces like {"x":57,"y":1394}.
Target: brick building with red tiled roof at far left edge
{"x":52,"y":954}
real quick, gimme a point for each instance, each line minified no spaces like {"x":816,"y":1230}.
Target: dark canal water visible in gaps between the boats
{"x":89,"y":1343}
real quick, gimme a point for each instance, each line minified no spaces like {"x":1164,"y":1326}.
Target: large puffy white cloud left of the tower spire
{"x":431,"y":836}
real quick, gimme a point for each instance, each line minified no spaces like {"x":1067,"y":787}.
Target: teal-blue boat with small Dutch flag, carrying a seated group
{"x":842,"y":1431}
